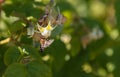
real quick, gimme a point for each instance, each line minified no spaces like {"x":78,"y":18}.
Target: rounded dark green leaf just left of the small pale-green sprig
{"x":12,"y":55}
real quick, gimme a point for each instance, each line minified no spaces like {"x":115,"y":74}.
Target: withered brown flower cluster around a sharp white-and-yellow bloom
{"x":45,"y":25}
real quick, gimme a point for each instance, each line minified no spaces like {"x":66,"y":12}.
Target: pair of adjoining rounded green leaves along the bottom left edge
{"x":31,"y":69}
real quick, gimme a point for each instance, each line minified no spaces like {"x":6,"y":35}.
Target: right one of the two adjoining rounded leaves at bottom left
{"x":37,"y":69}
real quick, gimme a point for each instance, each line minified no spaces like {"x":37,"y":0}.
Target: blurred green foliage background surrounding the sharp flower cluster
{"x":87,"y":46}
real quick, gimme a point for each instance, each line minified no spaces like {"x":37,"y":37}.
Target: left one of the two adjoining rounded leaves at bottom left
{"x":15,"y":70}
